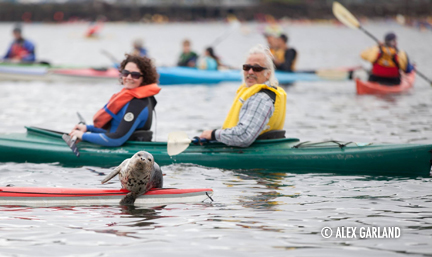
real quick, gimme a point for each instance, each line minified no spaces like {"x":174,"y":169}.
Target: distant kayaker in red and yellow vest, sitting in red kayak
{"x":387,"y":61}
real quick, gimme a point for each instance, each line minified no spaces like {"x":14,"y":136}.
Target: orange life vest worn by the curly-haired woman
{"x":117,"y":101}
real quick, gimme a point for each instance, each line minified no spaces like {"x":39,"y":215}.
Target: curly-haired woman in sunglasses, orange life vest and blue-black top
{"x":129,"y":112}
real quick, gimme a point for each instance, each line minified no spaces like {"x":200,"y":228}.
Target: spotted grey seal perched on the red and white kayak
{"x":138,"y":174}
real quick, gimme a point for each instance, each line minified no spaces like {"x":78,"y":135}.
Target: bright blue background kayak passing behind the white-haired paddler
{"x":184,"y":75}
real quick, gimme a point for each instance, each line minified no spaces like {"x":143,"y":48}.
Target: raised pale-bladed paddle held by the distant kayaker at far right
{"x":346,"y":17}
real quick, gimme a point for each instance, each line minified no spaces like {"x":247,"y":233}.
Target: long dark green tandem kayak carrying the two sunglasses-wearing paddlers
{"x":288,"y":155}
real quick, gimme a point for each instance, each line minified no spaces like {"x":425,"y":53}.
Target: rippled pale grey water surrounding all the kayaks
{"x":277,"y":214}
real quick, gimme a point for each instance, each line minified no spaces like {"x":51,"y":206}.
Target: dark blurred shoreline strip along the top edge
{"x":202,"y":10}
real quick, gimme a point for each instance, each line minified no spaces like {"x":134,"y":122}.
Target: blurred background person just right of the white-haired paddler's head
{"x":284,"y":57}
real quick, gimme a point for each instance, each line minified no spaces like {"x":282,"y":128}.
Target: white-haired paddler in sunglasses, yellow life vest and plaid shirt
{"x":259,"y":105}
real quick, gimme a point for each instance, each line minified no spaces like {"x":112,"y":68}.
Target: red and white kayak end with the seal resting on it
{"x":39,"y":196}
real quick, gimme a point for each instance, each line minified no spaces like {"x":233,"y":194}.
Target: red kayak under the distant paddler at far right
{"x":366,"y":87}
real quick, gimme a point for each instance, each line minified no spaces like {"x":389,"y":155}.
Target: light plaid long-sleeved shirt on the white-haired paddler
{"x":254,"y":116}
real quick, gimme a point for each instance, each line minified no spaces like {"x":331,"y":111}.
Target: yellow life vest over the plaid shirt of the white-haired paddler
{"x":276,"y":121}
